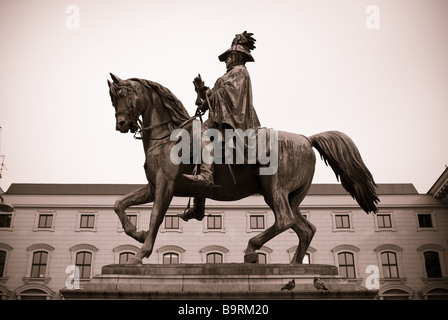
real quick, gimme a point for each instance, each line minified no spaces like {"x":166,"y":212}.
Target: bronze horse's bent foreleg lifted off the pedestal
{"x":140,"y":196}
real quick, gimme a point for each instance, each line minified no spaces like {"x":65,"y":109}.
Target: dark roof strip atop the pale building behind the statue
{"x":120,"y":189}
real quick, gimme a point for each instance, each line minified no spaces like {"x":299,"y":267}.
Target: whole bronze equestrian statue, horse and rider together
{"x":278,"y":165}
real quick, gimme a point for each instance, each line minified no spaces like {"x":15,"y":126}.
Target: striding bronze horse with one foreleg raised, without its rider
{"x":146,"y":107}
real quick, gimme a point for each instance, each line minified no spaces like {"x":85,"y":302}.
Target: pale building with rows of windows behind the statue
{"x":60,"y":235}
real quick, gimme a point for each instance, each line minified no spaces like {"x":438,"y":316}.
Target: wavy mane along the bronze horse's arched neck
{"x":175,"y":108}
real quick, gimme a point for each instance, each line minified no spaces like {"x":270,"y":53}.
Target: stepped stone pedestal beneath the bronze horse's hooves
{"x":216,"y":282}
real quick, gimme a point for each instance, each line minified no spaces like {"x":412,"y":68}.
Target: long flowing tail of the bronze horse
{"x":341,"y":153}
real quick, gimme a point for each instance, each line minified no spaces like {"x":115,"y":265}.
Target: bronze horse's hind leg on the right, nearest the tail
{"x":304,"y":229}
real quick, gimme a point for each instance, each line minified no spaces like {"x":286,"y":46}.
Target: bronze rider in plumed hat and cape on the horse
{"x":230,"y":107}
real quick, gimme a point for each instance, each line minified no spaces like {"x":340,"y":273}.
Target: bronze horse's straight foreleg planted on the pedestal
{"x":162,"y":199}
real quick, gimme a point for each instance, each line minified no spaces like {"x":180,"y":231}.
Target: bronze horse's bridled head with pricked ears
{"x":125,"y":97}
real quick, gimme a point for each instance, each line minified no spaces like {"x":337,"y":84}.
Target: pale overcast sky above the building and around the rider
{"x":317,"y":67}
